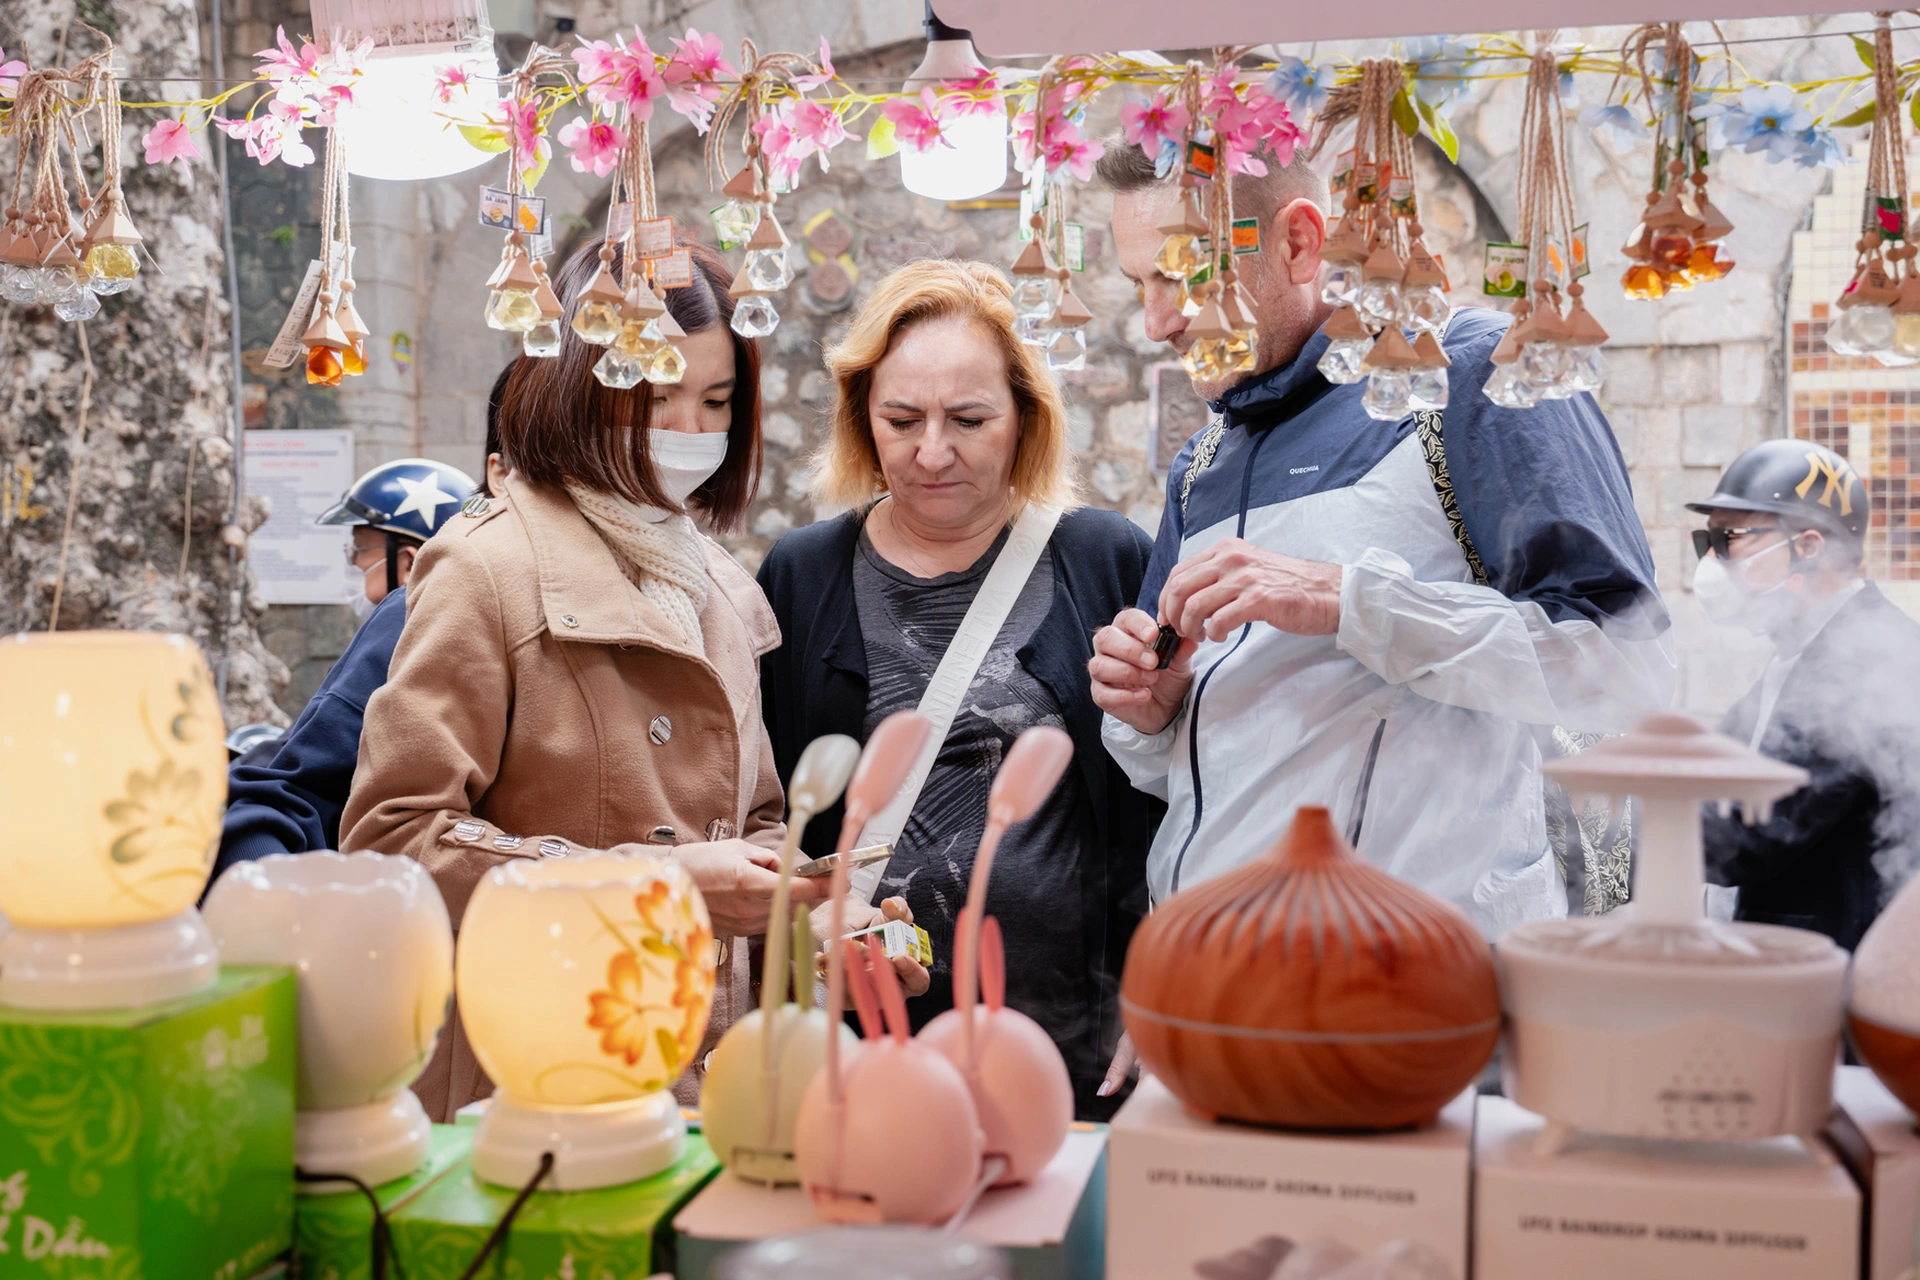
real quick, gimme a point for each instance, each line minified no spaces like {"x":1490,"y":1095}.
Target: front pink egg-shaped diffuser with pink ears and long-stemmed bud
{"x":892,"y":1135}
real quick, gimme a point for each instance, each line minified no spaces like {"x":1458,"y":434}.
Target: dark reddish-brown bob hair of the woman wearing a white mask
{"x":560,"y":425}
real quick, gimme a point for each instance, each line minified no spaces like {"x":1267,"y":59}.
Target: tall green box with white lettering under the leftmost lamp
{"x":151,"y":1145}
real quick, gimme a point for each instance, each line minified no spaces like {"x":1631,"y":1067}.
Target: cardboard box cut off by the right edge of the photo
{"x":1877,"y":1137}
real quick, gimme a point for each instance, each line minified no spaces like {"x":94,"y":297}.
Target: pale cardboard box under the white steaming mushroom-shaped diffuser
{"x":1612,"y":1208}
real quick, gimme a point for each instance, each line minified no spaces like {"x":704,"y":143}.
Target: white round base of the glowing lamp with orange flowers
{"x":592,"y":1147}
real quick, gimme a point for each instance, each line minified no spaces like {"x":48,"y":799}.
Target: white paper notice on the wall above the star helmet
{"x":302,"y":473}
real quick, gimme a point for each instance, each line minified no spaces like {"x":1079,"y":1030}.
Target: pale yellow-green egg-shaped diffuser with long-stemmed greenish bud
{"x":765,"y":1062}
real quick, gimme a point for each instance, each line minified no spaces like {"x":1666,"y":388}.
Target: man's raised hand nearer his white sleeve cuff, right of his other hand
{"x":1234,"y":582}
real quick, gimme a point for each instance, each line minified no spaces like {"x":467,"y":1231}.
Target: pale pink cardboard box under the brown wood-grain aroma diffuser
{"x":1188,"y":1195}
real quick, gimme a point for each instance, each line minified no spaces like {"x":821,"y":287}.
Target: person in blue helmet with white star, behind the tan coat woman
{"x":285,"y":797}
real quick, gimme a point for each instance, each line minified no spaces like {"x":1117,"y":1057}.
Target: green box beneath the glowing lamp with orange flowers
{"x":617,"y":1233}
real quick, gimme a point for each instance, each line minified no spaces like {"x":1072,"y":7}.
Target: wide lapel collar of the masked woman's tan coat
{"x":587,"y":596}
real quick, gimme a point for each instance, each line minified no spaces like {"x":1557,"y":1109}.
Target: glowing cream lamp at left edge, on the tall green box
{"x":112,"y":780}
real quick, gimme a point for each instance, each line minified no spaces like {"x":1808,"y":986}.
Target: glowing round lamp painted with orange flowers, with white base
{"x":585,"y":987}
